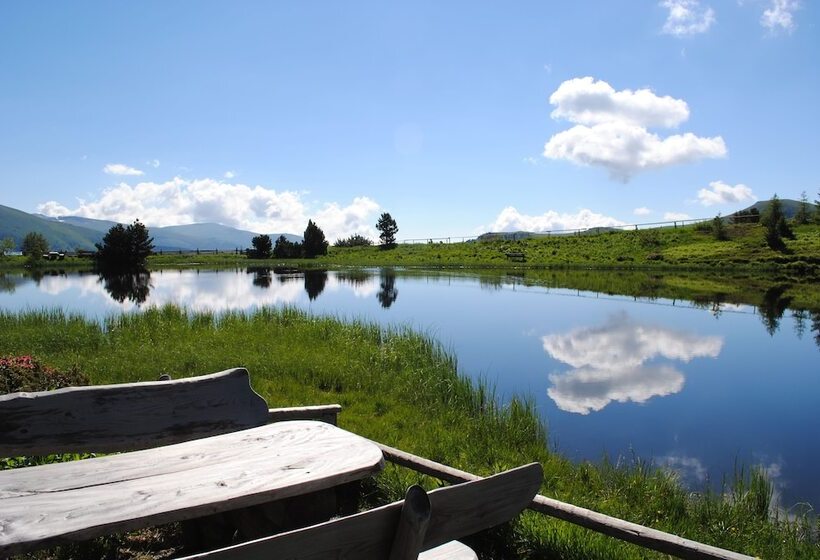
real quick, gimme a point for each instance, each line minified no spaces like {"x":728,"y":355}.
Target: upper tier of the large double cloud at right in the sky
{"x":589,"y":101}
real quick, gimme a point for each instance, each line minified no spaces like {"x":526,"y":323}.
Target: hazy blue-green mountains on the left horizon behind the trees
{"x":75,"y":232}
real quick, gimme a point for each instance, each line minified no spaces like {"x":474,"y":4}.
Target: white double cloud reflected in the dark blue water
{"x":609,"y":363}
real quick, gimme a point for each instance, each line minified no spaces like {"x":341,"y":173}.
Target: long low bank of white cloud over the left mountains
{"x":254,"y":208}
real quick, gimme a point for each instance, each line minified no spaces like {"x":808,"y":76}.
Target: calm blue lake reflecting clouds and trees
{"x":700,"y":387}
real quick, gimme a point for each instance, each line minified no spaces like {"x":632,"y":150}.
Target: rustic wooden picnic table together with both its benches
{"x":202,"y":446}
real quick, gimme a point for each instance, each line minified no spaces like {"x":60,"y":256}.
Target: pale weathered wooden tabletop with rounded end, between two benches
{"x":49,"y":504}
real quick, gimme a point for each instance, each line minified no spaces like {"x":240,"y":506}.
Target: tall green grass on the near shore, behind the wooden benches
{"x":402,"y":389}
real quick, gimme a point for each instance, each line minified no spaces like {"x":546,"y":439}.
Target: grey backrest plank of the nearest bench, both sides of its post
{"x":456,"y":511}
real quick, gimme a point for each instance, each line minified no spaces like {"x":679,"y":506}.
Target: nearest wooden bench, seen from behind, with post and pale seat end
{"x":422,"y":522}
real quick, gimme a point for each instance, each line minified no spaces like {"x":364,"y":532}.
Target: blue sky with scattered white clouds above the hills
{"x":455,"y":117}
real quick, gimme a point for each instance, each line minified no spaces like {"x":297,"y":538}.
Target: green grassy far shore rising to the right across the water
{"x":687,"y":247}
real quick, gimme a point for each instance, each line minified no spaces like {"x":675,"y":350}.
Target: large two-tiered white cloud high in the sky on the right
{"x":612,"y":129}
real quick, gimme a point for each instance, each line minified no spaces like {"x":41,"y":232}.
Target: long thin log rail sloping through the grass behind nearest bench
{"x":612,"y":526}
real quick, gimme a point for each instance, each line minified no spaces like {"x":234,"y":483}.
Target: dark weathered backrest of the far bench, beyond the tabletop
{"x":128,"y":416}
